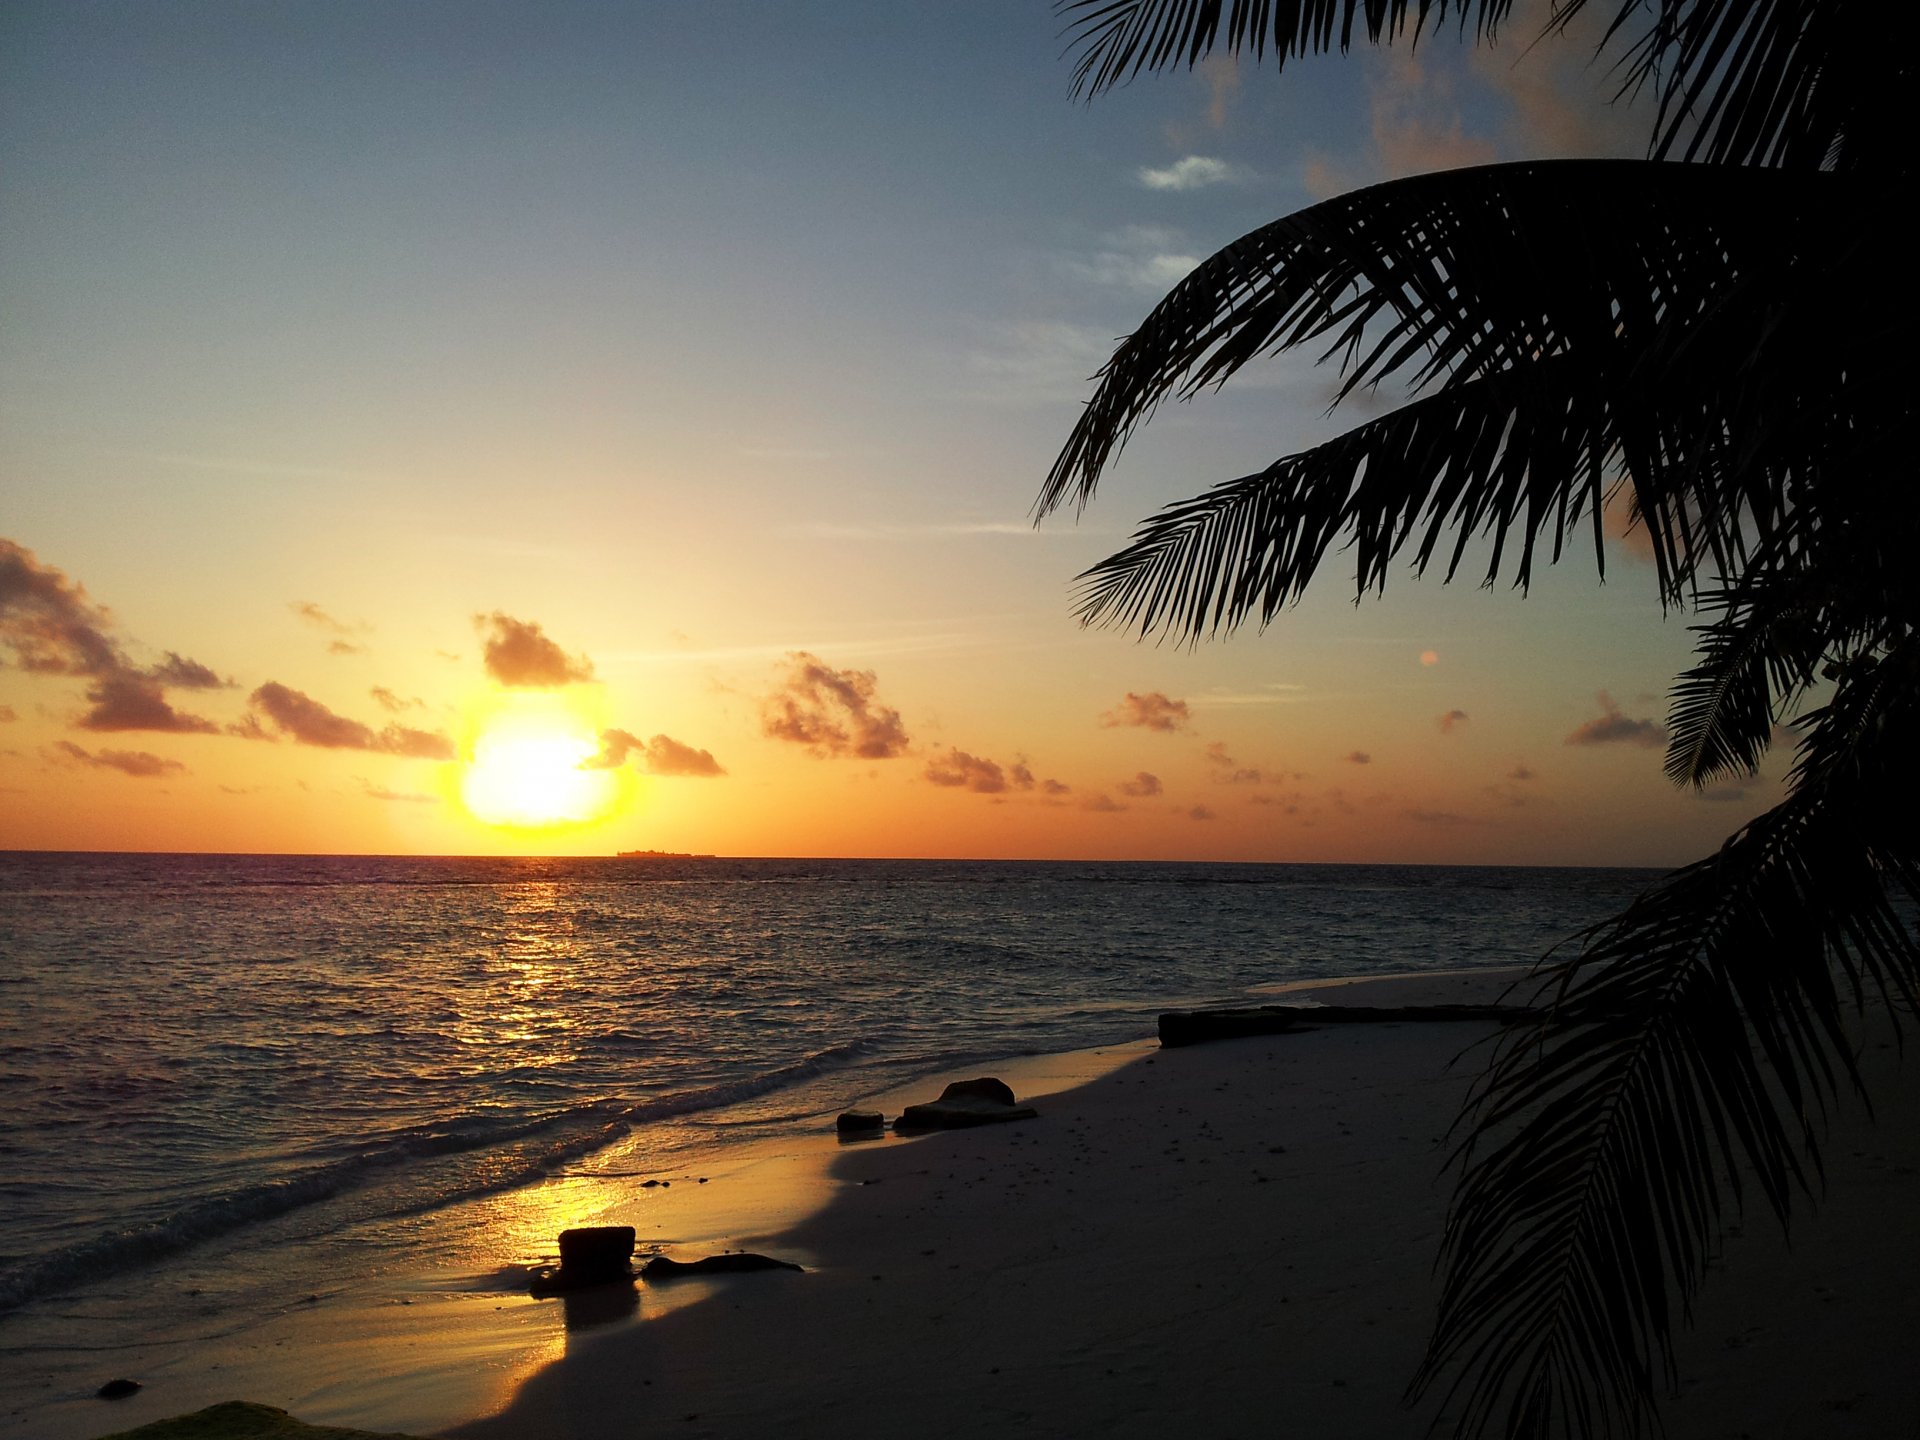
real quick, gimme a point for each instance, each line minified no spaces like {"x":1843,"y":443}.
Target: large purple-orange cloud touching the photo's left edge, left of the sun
{"x":53,"y":629}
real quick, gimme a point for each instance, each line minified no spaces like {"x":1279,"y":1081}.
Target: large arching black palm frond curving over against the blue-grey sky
{"x":1644,"y":287}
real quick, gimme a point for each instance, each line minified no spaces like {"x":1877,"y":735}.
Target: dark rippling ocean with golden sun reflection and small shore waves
{"x":222,"y":1068}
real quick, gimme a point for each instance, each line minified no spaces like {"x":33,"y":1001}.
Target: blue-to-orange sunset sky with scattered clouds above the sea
{"x":583,"y":427}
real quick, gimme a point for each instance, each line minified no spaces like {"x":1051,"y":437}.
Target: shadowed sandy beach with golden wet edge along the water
{"x":1230,"y":1239}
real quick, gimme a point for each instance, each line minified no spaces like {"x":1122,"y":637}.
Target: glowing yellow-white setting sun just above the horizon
{"x":527,"y":767}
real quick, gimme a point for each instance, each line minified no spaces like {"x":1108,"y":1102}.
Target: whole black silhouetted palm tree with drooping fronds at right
{"x":1716,"y":331}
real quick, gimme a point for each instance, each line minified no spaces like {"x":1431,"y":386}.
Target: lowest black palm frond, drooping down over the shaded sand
{"x":1696,"y":1040}
